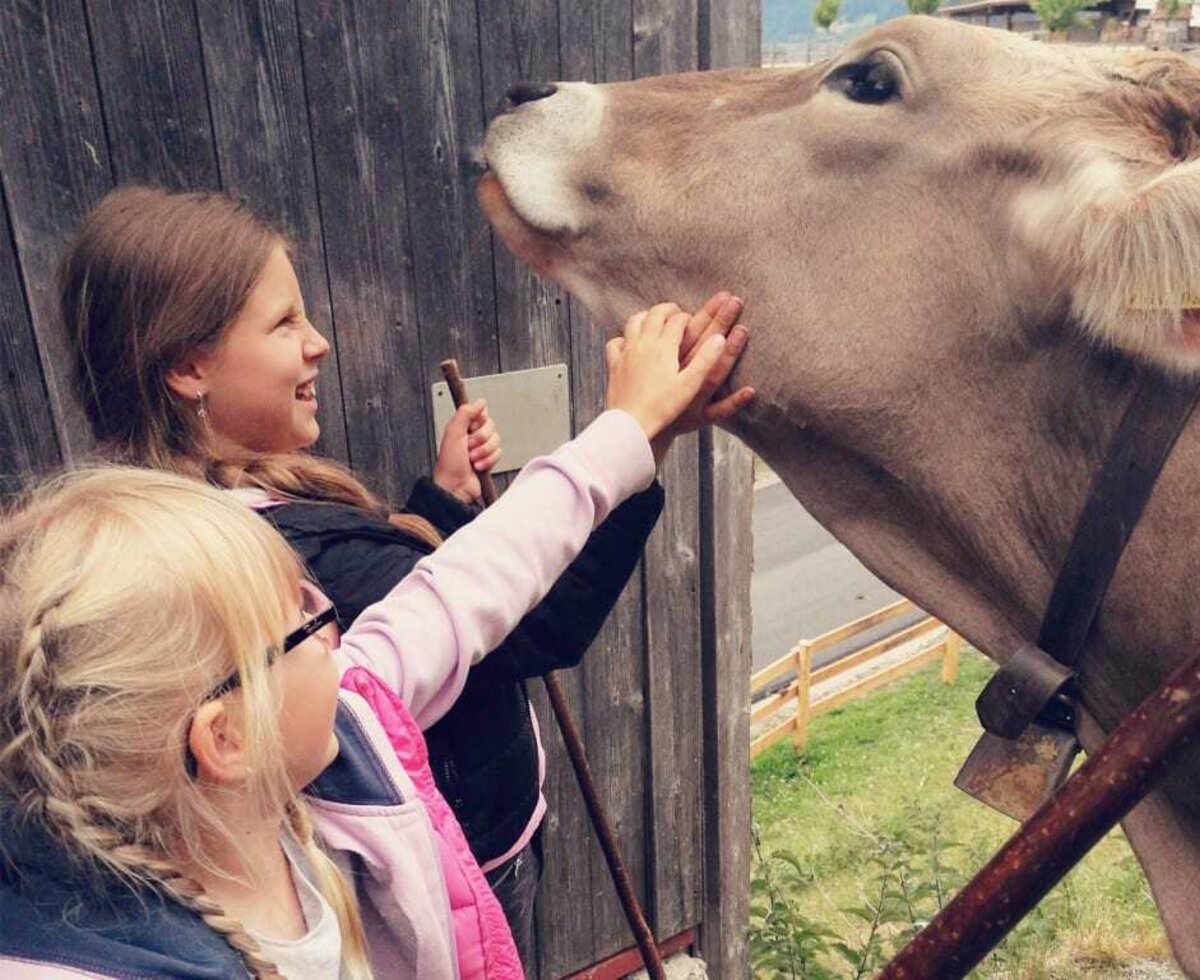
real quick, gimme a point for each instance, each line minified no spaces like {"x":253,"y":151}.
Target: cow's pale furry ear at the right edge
{"x":1135,"y":262}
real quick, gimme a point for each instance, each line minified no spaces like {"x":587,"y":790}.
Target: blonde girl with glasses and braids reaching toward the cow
{"x":182,"y":723}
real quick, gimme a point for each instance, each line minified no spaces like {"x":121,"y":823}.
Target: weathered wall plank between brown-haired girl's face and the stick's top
{"x":356,"y":80}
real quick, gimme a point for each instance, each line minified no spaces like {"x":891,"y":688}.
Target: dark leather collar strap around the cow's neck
{"x":1023,"y":689}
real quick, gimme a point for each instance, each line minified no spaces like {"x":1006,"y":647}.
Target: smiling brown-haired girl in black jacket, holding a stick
{"x":195,"y":356}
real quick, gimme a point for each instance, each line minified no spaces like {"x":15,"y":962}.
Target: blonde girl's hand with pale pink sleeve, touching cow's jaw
{"x":645,"y":376}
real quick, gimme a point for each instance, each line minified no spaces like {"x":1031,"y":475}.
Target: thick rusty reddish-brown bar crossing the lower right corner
{"x":1049,"y":844}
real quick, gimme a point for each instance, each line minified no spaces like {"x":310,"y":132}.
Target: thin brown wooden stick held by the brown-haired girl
{"x":601,"y":823}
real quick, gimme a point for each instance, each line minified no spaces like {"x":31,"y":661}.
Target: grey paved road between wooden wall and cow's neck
{"x":805,"y":582}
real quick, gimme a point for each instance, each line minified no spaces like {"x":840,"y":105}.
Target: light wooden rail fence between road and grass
{"x":800,"y":659}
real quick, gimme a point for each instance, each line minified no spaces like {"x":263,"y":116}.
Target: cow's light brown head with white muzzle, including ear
{"x":932,"y":175}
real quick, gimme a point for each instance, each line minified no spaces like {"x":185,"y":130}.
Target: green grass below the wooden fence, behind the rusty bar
{"x":877,"y":781}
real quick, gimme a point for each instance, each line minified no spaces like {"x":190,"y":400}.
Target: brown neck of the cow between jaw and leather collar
{"x":973,"y":513}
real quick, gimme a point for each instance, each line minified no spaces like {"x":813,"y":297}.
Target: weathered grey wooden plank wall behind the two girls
{"x":350,"y":124}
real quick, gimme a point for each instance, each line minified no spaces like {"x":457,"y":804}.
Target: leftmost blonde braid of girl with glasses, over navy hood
{"x":88,"y":826}
